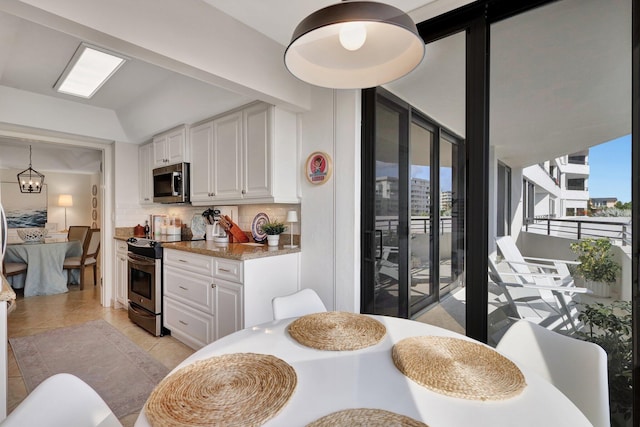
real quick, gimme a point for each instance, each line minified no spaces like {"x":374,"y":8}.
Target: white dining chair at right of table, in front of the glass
{"x":577,"y":368}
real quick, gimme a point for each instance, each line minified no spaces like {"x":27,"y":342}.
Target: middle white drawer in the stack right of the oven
{"x":192,"y":289}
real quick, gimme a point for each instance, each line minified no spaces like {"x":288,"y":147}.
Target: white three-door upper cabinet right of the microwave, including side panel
{"x":245,"y":156}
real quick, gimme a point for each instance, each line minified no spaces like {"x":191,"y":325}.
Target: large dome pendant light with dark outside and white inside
{"x":354,"y":45}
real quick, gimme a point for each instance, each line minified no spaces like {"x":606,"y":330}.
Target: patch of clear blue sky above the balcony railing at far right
{"x":610,"y":169}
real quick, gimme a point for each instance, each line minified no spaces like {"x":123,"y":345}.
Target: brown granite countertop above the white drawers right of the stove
{"x":236,"y":251}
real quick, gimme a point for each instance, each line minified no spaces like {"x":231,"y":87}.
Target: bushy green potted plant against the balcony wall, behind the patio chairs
{"x":597,"y":266}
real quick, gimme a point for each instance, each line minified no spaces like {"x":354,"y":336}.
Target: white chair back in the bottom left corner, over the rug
{"x":62,"y":400}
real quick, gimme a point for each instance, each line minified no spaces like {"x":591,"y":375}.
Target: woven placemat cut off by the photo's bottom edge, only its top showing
{"x":364,"y":417}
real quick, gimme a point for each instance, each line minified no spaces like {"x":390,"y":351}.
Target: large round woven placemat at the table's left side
{"x":234,"y":389}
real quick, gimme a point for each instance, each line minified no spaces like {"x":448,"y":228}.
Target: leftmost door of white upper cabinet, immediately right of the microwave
{"x":201,"y":141}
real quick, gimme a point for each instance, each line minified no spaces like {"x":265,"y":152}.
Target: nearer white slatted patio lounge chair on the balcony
{"x":545,"y":303}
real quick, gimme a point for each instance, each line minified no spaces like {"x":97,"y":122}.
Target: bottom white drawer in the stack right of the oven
{"x":192,"y":326}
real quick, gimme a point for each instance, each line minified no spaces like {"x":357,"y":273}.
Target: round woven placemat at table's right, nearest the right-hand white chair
{"x":458,"y":368}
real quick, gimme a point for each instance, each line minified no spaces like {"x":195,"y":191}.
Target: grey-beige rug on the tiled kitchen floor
{"x":121,"y":372}
